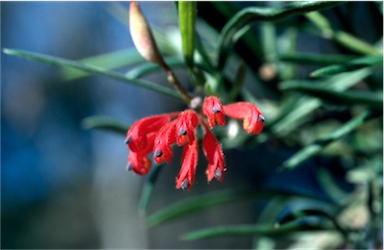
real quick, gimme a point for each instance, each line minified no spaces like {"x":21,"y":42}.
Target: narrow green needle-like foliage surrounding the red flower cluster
{"x":344,"y":84}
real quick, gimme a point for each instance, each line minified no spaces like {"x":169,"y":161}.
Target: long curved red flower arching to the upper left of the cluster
{"x":137,"y":135}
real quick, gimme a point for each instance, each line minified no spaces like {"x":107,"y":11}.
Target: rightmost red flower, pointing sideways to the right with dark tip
{"x":253,"y":120}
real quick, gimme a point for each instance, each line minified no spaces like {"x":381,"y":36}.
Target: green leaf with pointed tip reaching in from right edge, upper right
{"x":359,"y":63}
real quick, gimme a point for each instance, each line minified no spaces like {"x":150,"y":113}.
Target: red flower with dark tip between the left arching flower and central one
{"x":163,"y":141}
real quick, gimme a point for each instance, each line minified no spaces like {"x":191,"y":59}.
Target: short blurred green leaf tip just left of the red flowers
{"x":107,"y":123}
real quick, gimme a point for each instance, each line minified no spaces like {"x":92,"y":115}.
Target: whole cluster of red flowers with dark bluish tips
{"x":159,"y":133}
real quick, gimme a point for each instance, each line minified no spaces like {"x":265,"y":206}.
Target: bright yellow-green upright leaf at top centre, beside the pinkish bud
{"x":187,"y":20}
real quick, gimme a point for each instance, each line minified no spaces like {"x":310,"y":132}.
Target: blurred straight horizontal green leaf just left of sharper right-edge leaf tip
{"x":316,"y":59}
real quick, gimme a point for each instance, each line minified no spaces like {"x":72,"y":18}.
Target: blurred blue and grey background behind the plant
{"x":63,"y":186}
